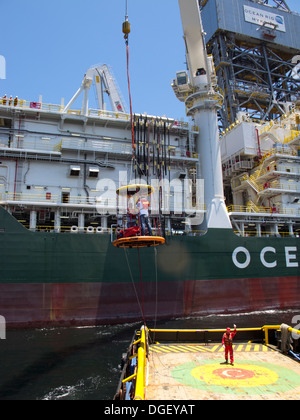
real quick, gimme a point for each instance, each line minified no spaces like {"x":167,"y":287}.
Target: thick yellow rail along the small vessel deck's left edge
{"x":142,"y":366}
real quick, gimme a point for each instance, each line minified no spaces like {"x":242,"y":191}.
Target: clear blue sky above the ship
{"x":49,"y":45}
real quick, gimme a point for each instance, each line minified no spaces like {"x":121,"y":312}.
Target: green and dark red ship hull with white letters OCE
{"x":57,"y":279}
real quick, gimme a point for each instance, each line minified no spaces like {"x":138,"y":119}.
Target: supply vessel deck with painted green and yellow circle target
{"x":168,"y":365}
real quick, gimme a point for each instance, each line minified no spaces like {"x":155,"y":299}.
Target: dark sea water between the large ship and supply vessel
{"x":83,"y":363}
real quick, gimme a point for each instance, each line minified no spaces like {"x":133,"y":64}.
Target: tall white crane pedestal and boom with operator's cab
{"x":199,"y":92}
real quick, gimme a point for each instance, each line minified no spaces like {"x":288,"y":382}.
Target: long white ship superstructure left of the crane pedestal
{"x":57,"y":162}
